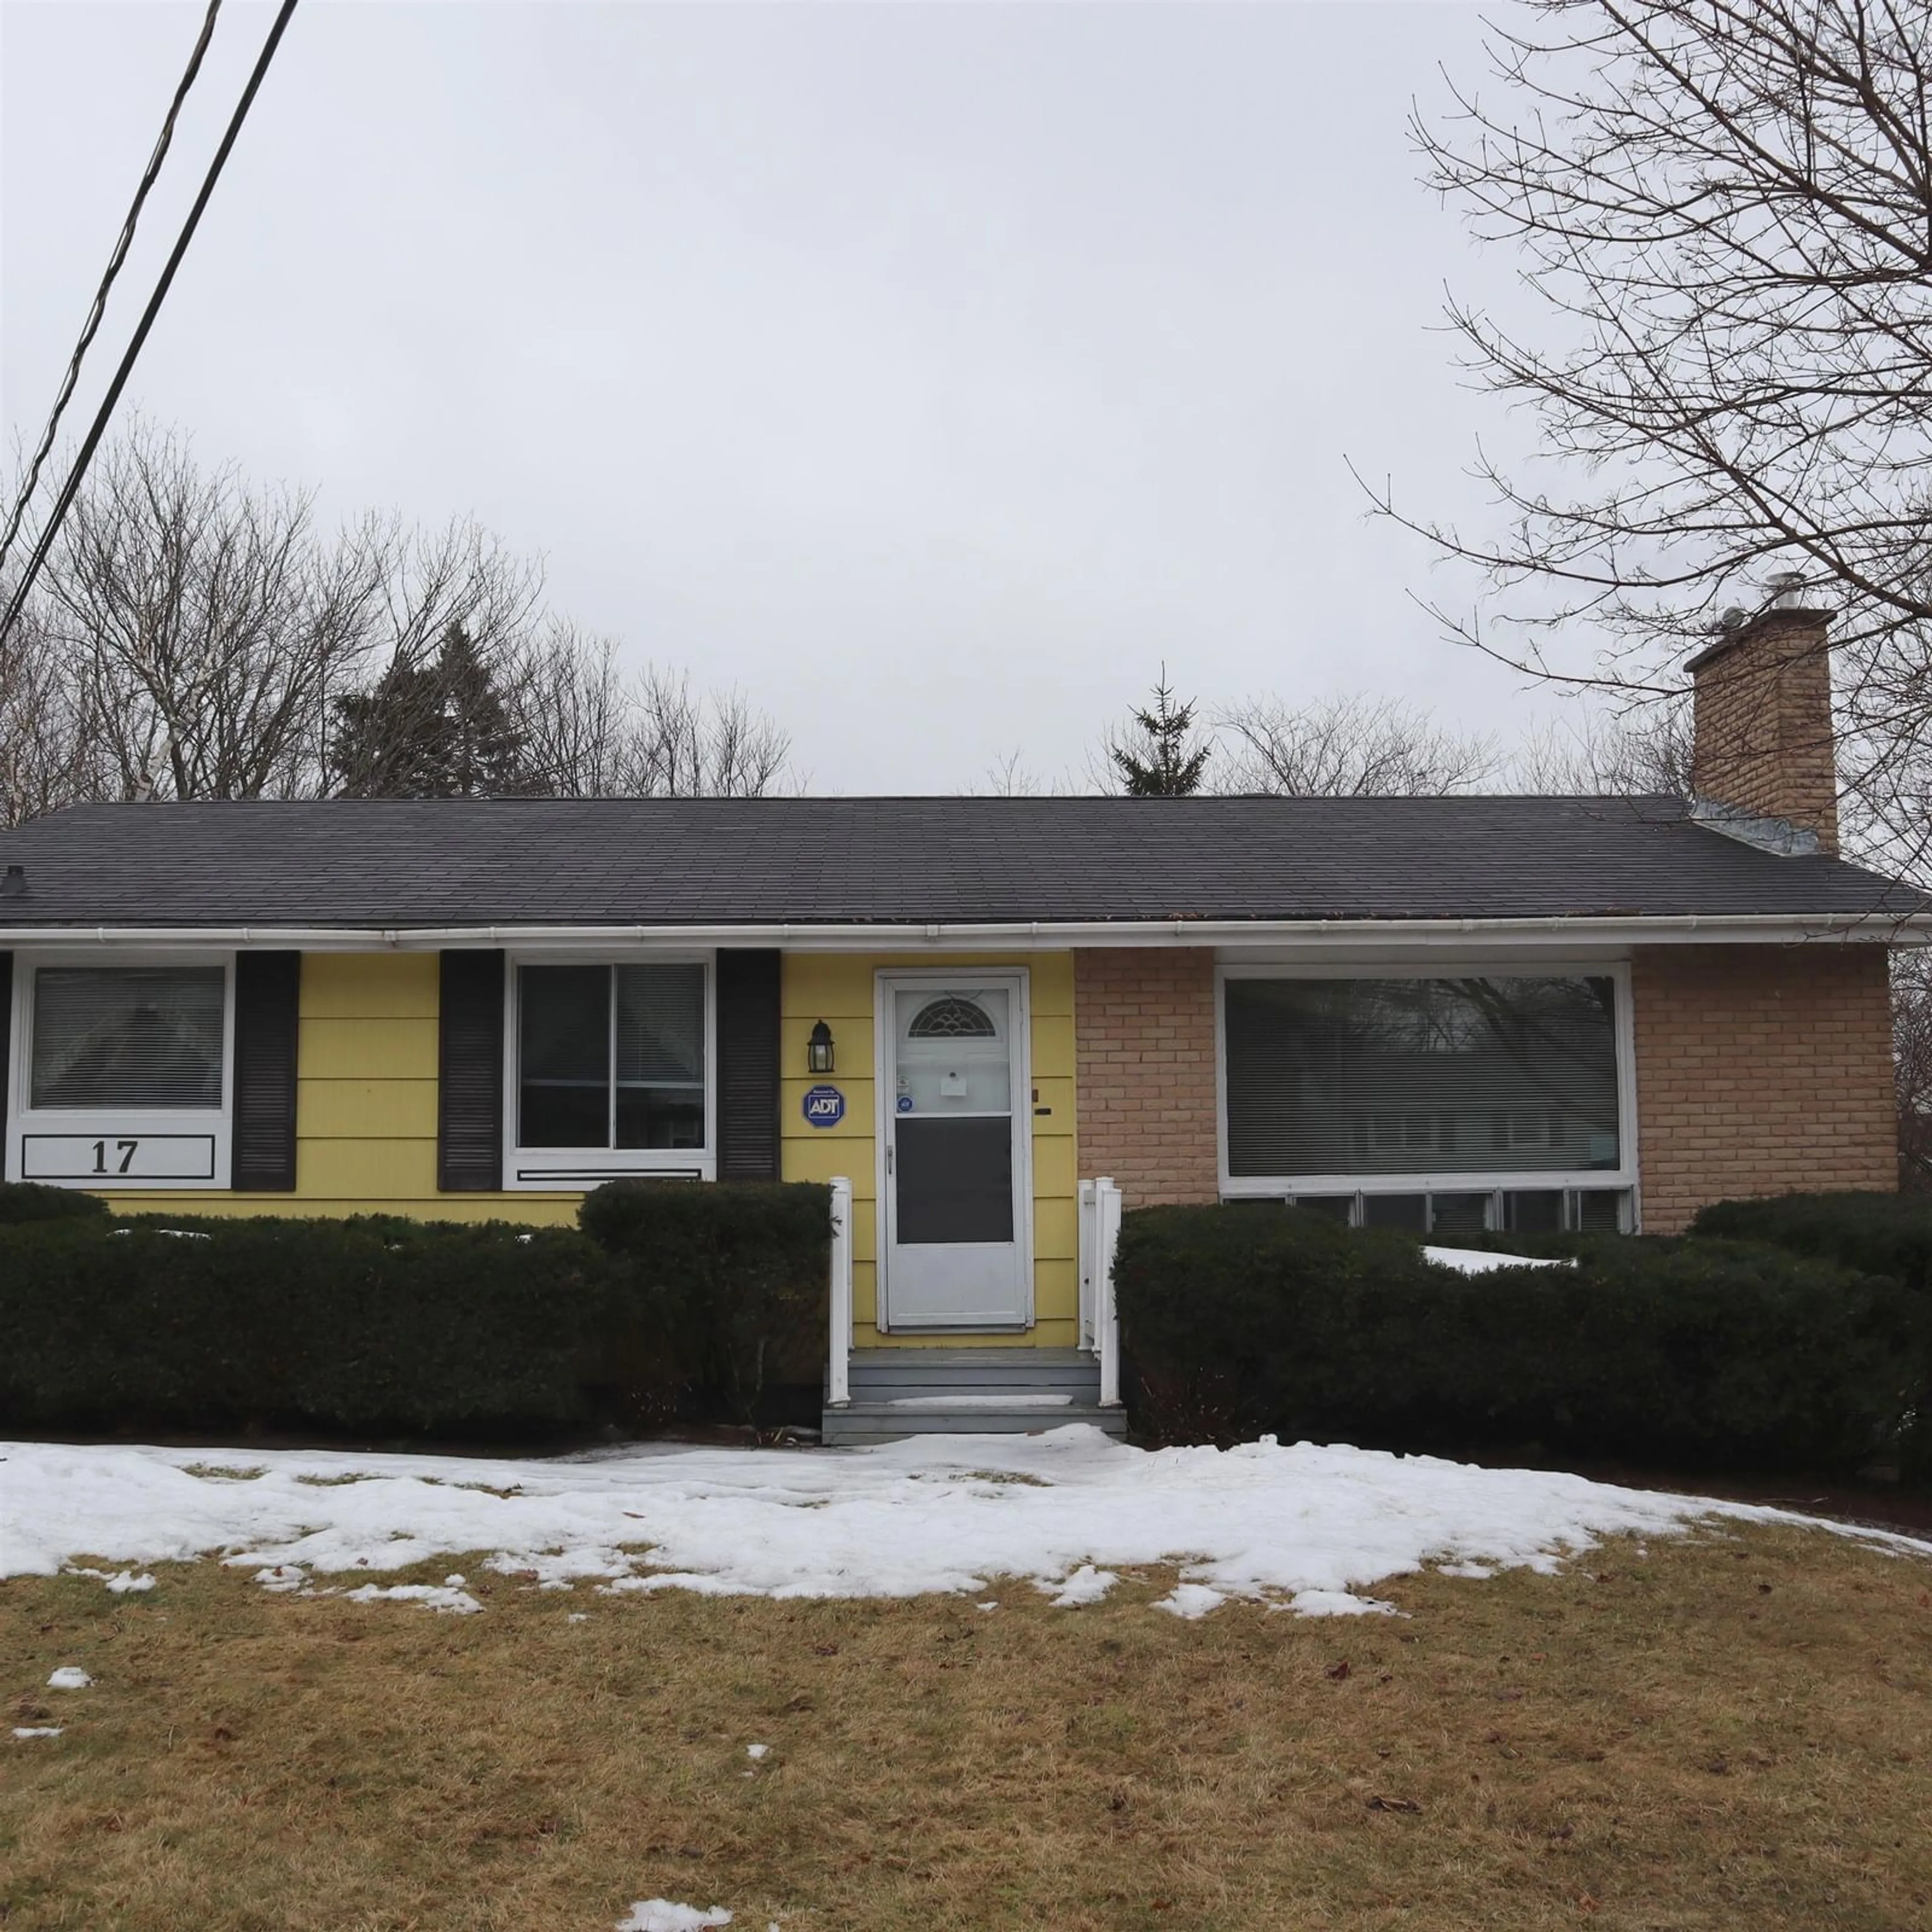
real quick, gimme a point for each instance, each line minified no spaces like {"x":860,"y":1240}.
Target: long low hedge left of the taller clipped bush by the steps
{"x":366,"y":1326}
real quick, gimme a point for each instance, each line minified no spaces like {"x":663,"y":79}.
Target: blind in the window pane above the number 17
{"x":128,"y":1037}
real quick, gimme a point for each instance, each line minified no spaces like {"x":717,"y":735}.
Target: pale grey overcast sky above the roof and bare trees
{"x":928,"y":372}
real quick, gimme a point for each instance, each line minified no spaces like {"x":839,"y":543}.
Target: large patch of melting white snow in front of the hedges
{"x":1313,"y":1527}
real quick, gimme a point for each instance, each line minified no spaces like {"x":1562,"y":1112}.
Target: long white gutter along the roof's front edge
{"x":1021,"y":934}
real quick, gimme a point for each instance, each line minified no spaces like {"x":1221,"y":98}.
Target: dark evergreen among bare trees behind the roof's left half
{"x":430,"y":731}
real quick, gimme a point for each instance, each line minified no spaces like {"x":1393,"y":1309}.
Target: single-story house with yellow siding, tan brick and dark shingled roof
{"x":1433,"y":1013}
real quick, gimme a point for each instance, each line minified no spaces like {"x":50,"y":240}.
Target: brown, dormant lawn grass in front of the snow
{"x":1726,"y":1732}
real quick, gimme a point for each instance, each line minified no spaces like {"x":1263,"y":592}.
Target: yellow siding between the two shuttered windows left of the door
{"x":366,"y":1106}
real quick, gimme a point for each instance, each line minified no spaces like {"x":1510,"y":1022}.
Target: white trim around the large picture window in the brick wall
{"x":1483,"y":1181}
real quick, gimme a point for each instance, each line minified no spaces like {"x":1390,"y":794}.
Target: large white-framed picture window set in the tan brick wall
{"x":1438,"y":1098}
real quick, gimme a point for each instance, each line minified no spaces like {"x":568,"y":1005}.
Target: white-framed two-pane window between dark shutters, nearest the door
{"x":610,"y":1071}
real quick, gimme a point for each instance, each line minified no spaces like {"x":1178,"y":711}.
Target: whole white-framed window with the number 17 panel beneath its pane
{"x":121,"y":1071}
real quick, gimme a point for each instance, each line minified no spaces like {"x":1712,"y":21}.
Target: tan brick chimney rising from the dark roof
{"x":1761,"y":725}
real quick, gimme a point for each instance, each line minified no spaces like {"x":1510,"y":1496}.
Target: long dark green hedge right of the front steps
{"x":1690,"y":1353}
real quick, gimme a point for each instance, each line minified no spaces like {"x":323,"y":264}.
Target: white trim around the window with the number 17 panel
{"x":119,"y":1125}
